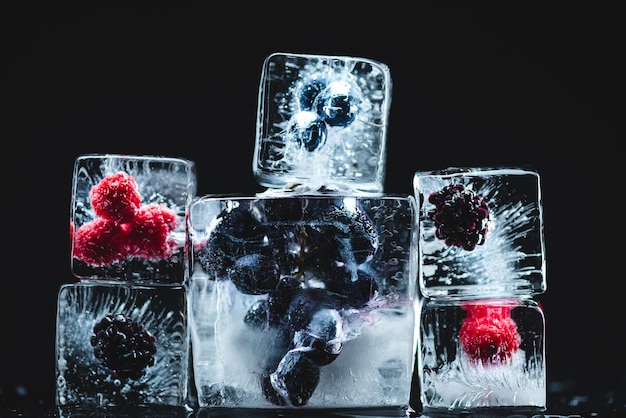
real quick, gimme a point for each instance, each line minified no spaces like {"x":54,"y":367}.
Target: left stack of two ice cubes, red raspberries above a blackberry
{"x":122,"y":327}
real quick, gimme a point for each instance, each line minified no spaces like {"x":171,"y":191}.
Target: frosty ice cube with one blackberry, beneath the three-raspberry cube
{"x":83,"y":379}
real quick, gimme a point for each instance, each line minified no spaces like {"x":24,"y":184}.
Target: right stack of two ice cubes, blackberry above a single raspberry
{"x":482,"y":262}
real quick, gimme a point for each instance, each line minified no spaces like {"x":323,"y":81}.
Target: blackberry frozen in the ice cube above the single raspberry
{"x":461,"y":216}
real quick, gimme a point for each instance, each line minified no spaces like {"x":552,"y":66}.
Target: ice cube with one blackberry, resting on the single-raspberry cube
{"x":481,"y":232}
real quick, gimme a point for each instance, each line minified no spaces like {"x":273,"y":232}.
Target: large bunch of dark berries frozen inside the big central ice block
{"x":303,"y":254}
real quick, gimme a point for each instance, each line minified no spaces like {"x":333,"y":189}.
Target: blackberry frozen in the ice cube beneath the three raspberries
{"x":123,"y":346}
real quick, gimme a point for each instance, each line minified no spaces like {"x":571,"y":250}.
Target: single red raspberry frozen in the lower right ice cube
{"x":488,"y":334}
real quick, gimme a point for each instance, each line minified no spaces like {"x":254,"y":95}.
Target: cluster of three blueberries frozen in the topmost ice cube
{"x":321,"y":103}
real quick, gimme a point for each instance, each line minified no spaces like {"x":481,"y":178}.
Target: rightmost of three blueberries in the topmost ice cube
{"x":338,"y":104}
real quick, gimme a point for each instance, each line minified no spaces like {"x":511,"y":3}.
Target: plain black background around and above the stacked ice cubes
{"x":474,"y":84}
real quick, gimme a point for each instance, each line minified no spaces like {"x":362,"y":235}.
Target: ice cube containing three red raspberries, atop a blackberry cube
{"x":164,"y":188}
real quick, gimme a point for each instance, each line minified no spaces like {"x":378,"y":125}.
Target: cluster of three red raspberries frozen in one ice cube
{"x":124,"y":227}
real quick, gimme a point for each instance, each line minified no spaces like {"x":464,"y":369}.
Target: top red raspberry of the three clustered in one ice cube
{"x":116,"y":197}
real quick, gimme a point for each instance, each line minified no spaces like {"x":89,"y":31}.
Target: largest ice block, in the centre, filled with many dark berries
{"x":303,"y":301}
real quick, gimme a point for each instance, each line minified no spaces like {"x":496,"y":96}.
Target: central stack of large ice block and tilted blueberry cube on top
{"x":305,"y":295}
